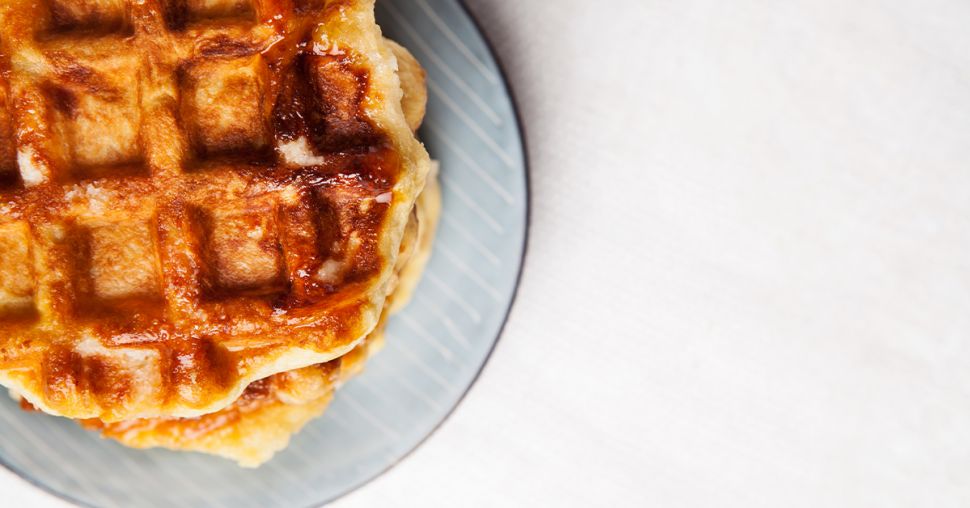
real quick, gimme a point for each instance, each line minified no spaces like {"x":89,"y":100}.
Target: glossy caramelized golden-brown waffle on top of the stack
{"x":194,"y":195}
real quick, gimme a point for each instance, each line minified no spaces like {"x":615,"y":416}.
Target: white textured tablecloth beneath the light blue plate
{"x":748,"y":281}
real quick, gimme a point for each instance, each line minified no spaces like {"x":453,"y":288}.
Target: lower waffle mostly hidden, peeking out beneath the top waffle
{"x":261,"y":421}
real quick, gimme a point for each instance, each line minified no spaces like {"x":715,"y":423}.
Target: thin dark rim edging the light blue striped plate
{"x":523,"y":255}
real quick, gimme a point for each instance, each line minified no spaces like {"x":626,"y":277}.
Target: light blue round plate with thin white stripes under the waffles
{"x":434,"y":350}
